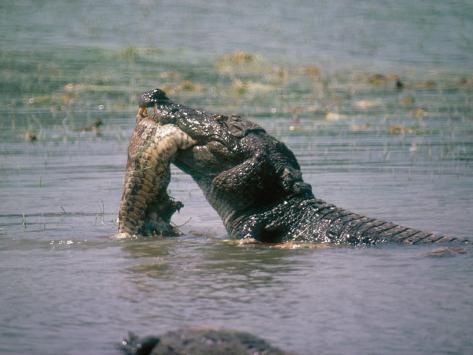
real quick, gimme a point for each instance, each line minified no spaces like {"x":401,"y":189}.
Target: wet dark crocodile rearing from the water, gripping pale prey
{"x":255,"y":184}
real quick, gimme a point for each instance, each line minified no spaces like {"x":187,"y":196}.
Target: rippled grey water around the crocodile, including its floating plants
{"x":309,"y":76}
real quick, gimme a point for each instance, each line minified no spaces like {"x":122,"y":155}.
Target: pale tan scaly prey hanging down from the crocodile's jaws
{"x":145,"y":207}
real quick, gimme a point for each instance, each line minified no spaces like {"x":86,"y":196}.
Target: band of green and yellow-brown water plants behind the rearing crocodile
{"x":86,"y":80}
